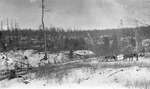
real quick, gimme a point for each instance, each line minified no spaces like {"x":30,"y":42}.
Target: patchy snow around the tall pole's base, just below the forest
{"x":33,"y":57}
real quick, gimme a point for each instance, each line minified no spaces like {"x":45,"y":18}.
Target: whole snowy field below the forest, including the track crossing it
{"x":80,"y":74}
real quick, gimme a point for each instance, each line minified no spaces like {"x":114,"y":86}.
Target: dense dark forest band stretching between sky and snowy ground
{"x":111,"y":41}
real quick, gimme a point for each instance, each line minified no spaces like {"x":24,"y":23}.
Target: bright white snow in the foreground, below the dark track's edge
{"x":85,"y":78}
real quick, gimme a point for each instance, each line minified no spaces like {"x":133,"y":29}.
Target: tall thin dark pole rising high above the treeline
{"x":43,"y":27}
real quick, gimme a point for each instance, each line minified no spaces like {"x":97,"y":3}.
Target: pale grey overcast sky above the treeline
{"x":85,"y":14}
